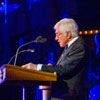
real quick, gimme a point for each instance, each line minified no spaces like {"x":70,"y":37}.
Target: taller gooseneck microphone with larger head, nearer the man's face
{"x":38,"y":39}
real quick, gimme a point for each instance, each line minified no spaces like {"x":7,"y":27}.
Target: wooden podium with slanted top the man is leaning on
{"x":15,"y":75}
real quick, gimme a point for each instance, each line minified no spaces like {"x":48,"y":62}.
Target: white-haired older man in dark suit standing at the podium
{"x":72,"y":66}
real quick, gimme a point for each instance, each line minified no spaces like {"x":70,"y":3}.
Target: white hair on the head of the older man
{"x":67,"y":25}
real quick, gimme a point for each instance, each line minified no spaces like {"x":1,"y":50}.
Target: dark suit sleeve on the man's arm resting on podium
{"x":72,"y":63}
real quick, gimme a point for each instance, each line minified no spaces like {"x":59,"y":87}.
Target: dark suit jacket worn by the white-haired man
{"x":72,"y":72}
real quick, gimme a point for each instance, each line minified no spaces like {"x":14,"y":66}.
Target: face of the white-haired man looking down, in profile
{"x":61,"y":38}
